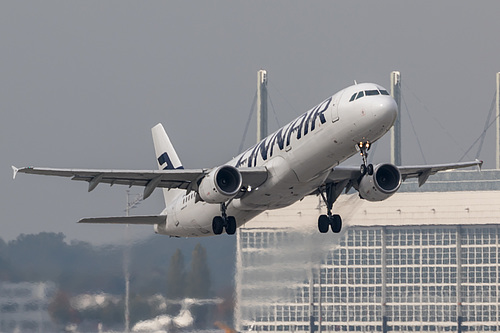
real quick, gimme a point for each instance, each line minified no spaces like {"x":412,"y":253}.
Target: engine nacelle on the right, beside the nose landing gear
{"x":384,"y":182}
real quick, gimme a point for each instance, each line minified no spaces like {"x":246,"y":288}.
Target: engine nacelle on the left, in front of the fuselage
{"x":220,"y":185}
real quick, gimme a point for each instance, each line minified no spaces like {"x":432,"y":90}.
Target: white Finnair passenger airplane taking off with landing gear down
{"x":302,"y":158}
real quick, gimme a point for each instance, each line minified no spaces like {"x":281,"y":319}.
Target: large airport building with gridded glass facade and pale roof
{"x":426,"y":259}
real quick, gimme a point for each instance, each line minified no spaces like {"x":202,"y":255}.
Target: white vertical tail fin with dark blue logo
{"x":166,"y":157}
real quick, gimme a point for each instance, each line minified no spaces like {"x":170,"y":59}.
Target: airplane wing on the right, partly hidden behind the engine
{"x":347,"y":175}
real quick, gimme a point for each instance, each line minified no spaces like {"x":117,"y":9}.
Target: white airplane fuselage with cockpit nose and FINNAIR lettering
{"x":298,"y":157}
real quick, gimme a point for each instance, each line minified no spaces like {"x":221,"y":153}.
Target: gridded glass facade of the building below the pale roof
{"x":380,"y":278}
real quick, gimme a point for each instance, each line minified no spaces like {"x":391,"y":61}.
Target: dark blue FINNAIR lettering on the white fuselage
{"x":303,"y":124}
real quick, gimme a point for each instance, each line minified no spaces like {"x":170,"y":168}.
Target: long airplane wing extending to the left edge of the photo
{"x":181,"y":179}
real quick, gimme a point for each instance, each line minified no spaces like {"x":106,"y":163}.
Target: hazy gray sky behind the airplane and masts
{"x":82,"y":83}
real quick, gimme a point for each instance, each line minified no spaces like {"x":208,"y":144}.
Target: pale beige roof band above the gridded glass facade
{"x":449,"y":198}
